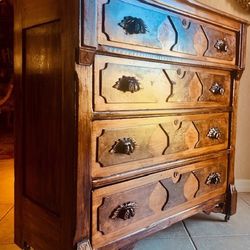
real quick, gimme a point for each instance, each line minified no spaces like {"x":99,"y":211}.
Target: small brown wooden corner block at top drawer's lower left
{"x":85,"y":55}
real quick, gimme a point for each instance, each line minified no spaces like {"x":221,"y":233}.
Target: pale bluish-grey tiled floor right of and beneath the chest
{"x":205,"y":232}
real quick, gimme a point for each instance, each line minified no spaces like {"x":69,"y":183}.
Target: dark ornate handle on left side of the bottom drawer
{"x":124,"y":211}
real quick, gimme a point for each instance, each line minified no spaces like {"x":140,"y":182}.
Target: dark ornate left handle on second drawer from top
{"x":128,"y":83}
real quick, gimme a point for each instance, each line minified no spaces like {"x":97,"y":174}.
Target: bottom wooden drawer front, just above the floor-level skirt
{"x":124,"y":208}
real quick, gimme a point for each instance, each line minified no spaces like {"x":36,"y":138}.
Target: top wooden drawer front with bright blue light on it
{"x":139,"y":26}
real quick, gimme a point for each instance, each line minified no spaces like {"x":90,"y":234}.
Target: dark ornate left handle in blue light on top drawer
{"x":133,"y":25}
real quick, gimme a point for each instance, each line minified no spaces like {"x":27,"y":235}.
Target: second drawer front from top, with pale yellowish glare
{"x":124,"y":84}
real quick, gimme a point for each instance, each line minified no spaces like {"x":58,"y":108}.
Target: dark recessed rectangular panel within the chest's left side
{"x":42,"y":108}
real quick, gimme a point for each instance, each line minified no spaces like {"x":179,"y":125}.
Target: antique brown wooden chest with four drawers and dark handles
{"x":125,"y":121}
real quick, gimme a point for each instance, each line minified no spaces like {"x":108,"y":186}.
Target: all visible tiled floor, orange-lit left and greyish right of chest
{"x":200,"y":232}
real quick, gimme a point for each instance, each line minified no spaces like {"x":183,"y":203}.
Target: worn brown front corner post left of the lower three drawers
{"x":83,"y":207}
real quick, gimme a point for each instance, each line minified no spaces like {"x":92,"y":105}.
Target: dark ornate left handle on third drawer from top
{"x":124,"y":146}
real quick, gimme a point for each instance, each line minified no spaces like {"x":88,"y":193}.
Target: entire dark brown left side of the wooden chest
{"x":45,"y":163}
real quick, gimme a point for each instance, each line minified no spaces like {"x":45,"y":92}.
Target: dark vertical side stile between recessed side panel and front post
{"x":70,"y":33}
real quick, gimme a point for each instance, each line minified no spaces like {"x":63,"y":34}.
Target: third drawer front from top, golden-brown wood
{"x":122,"y":145}
